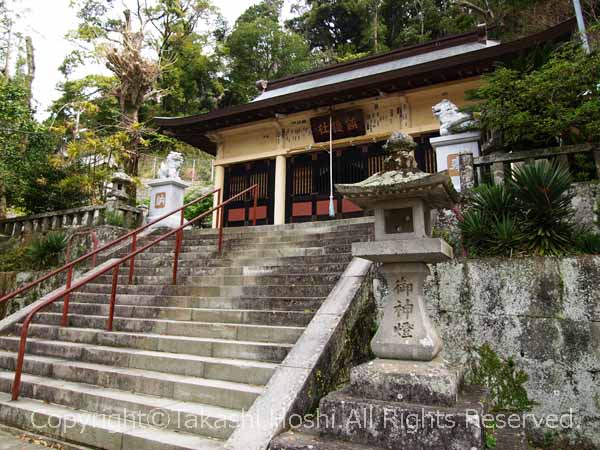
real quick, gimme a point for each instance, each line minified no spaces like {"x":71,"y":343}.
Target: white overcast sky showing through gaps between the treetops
{"x":47,"y":21}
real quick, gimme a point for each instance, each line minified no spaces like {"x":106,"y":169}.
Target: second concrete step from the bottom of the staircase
{"x":211,"y":421}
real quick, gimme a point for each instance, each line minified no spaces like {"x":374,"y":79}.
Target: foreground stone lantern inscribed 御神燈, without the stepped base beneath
{"x":402,"y":198}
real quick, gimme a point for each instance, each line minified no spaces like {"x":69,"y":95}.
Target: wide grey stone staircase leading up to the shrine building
{"x":183,"y":362}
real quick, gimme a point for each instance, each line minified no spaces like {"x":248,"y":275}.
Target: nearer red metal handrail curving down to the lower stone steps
{"x":115,"y":278}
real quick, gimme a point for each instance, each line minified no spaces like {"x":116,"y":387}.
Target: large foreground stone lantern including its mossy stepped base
{"x":409,"y":379}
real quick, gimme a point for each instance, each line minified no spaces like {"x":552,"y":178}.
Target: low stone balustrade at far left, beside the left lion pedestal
{"x":86,"y":216}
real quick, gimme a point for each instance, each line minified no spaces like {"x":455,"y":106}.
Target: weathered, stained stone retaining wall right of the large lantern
{"x":543,"y":312}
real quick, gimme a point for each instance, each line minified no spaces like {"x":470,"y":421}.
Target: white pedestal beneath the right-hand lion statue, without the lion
{"x":447,"y":149}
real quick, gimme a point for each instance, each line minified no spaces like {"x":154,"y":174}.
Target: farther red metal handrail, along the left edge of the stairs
{"x":70,"y":265}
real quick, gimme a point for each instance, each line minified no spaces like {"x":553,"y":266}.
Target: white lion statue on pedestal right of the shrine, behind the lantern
{"x":456,"y":137}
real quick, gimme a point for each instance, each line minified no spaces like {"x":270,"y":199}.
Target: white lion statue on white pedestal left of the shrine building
{"x":167,"y":192}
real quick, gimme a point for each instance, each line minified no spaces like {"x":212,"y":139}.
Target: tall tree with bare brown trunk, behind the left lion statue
{"x":155,"y":55}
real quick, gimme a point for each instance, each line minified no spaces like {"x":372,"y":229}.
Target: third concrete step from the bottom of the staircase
{"x":178,"y":387}
